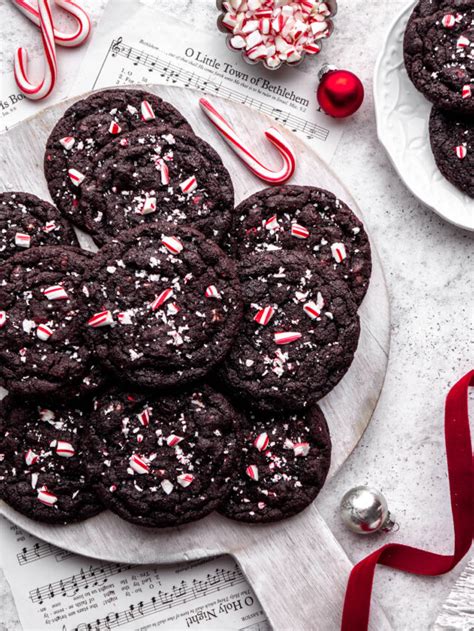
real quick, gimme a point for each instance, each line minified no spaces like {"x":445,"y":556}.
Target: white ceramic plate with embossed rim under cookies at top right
{"x":402,"y":125}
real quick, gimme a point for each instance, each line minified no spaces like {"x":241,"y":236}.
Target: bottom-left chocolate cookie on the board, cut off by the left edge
{"x":42,"y":471}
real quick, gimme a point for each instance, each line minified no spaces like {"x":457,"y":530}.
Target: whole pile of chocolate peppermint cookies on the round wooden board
{"x":177,"y":370}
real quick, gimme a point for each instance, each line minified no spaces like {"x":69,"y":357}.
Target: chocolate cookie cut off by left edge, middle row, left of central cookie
{"x":42,"y":327}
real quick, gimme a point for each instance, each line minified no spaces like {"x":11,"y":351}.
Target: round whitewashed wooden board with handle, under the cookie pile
{"x":297,"y":568}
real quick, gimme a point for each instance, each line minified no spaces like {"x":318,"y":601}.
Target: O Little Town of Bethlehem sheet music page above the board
{"x":149,"y":46}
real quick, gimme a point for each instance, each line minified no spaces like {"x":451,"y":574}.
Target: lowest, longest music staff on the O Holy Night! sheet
{"x":165,"y":600}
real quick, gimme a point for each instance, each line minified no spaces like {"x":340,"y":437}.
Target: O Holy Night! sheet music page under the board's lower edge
{"x":55,"y":589}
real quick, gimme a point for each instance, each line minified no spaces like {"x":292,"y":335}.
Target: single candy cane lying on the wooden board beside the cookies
{"x":237,"y":145}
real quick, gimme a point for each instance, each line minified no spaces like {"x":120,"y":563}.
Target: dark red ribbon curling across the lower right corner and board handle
{"x":459,"y":457}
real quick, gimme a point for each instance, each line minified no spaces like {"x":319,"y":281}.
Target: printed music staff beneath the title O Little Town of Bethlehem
{"x":172,"y":73}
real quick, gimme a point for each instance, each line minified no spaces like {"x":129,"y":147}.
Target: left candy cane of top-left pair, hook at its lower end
{"x":43,"y":89}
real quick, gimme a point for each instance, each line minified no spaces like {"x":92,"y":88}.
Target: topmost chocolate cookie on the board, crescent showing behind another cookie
{"x":89,"y":125}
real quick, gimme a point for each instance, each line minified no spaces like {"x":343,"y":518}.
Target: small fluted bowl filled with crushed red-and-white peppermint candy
{"x":276,"y":32}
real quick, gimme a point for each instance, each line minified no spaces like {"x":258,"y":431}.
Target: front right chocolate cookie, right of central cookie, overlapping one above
{"x":298,"y":335}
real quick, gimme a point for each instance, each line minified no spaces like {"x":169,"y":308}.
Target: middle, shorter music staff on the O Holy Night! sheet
{"x":85,"y":578}
